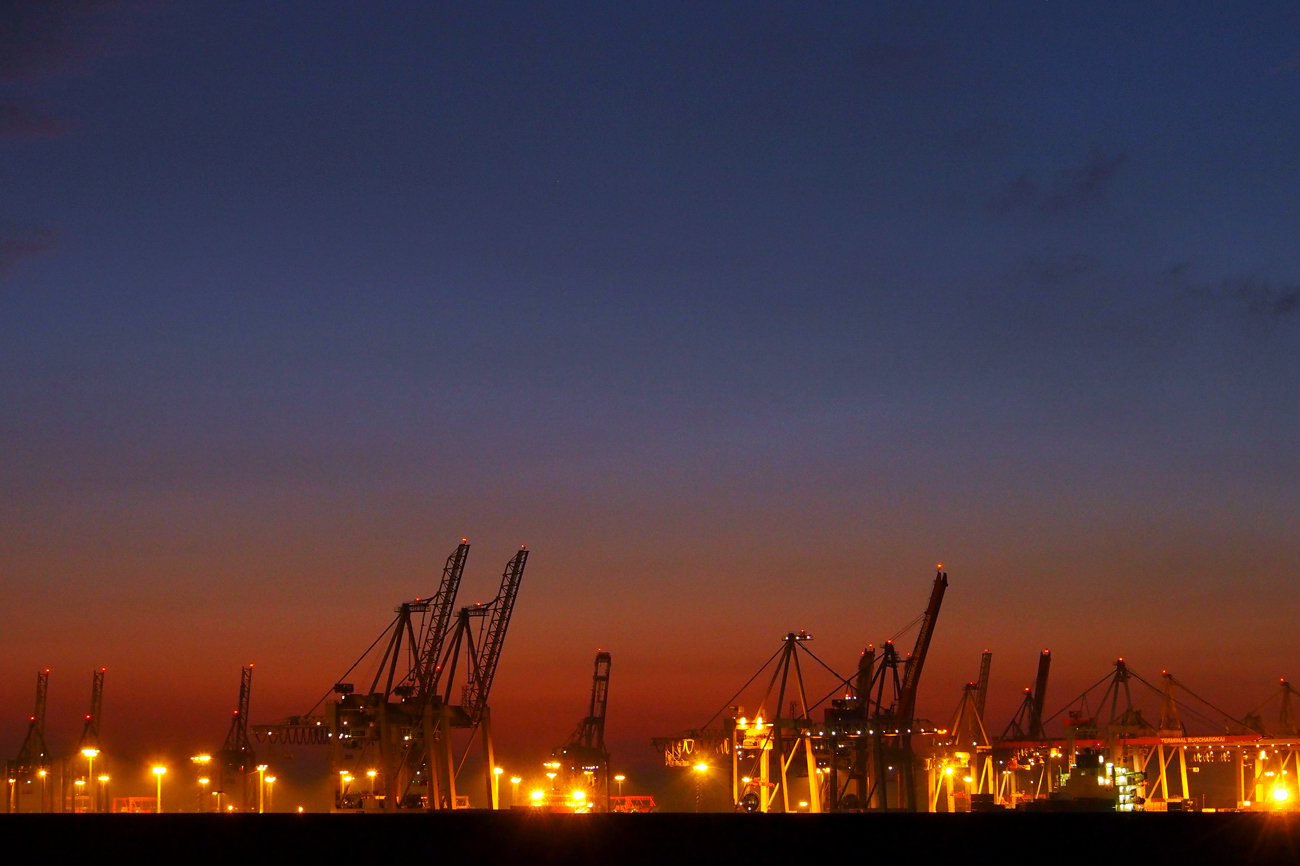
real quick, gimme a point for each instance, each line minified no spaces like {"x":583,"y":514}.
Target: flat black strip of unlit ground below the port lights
{"x":671,"y":839}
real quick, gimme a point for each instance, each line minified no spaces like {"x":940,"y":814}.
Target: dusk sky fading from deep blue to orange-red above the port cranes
{"x":740,"y":317}
